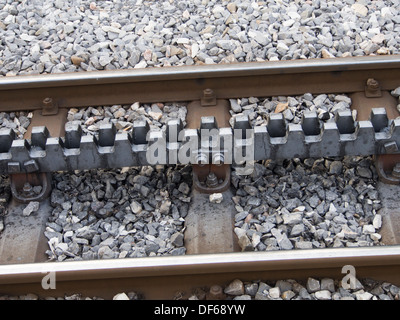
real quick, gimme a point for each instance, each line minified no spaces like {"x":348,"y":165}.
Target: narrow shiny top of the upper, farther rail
{"x":201,"y":71}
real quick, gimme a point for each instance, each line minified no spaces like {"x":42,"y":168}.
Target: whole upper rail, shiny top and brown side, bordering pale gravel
{"x":186,"y":83}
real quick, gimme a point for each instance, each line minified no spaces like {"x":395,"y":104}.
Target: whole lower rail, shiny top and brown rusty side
{"x":162,"y":277}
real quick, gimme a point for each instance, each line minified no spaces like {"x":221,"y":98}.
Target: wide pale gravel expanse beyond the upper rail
{"x":66,"y":36}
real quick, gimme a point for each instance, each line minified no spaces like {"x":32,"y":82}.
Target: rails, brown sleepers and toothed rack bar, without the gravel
{"x":369,"y":128}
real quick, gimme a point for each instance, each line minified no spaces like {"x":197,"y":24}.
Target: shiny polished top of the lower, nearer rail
{"x":190,"y":265}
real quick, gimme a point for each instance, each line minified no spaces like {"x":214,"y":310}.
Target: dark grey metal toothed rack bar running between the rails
{"x":109,"y":149}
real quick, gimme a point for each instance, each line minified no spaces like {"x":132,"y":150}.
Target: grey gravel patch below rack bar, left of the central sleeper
{"x":128,"y":212}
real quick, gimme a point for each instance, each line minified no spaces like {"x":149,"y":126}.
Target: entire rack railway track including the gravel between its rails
{"x":119,"y":222}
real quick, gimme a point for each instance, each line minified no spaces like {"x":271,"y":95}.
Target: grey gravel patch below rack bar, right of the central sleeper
{"x":310,"y":203}
